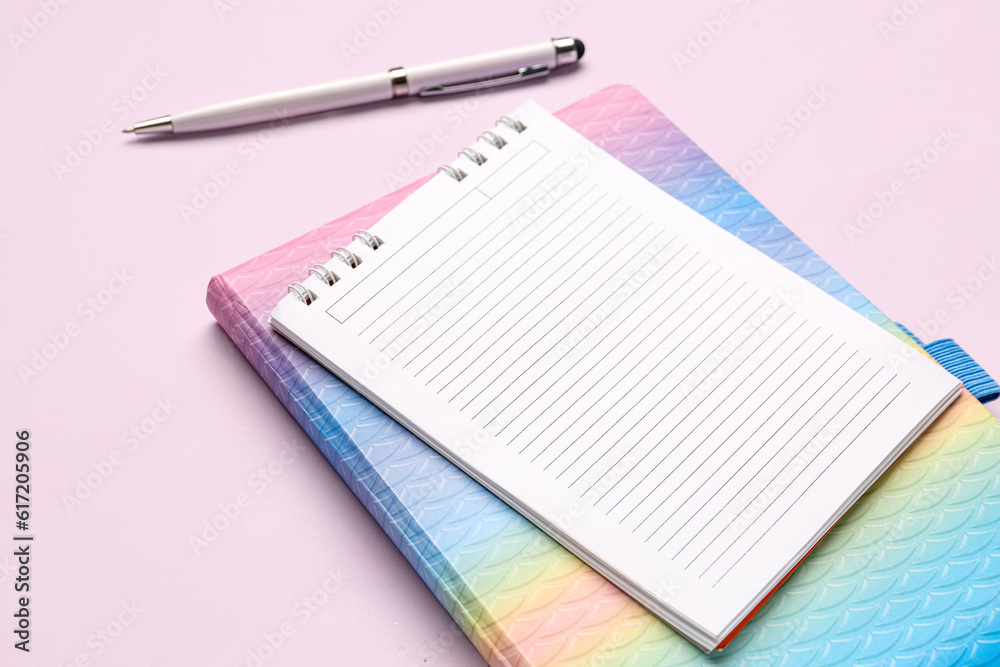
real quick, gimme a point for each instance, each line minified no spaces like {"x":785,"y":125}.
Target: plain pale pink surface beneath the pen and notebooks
{"x":69,"y":224}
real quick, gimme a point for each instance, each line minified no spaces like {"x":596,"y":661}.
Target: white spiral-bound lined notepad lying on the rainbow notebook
{"x":677,"y":409}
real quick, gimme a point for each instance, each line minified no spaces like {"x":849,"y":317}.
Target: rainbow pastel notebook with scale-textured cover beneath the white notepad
{"x":909,"y":576}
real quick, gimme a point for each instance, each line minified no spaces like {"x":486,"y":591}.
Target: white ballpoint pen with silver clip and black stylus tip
{"x":451,"y":76}
